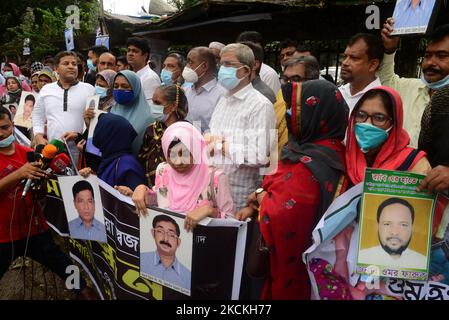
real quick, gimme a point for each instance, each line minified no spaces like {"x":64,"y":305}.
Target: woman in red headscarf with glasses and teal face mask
{"x":376,"y":138}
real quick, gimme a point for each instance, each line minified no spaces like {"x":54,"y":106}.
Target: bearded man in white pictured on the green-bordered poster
{"x":395,"y":222}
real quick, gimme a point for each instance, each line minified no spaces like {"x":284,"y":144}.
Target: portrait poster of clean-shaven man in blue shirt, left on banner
{"x":83,"y":207}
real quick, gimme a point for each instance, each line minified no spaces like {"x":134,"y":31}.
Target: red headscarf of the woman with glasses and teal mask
{"x":394,"y":151}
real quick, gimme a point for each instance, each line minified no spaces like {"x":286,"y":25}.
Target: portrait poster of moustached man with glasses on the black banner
{"x":166,"y":250}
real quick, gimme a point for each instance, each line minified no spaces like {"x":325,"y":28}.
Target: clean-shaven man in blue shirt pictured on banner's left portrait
{"x":85,"y":226}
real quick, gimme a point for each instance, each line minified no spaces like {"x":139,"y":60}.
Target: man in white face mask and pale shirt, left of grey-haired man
{"x":205,"y":92}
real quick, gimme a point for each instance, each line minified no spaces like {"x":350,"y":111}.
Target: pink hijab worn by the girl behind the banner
{"x":184,"y":189}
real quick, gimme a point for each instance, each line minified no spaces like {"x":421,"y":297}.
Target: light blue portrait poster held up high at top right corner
{"x":413,"y":16}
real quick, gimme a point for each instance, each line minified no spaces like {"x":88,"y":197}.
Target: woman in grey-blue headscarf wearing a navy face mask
{"x":131,"y":104}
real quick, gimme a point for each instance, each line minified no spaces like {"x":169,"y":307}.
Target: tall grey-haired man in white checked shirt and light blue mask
{"x":242,"y":125}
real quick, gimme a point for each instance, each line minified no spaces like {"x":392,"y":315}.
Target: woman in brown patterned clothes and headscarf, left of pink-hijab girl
{"x":169,"y":105}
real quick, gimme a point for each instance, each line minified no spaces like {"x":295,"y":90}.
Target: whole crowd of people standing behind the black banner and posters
{"x":221,"y":134}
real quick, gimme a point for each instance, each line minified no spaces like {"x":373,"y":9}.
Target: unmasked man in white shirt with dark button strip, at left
{"x":61,"y":104}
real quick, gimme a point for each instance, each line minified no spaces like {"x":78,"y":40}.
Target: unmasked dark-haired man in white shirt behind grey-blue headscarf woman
{"x":138,"y":55}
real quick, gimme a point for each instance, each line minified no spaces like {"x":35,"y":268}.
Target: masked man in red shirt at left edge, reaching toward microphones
{"x":23,"y":229}
